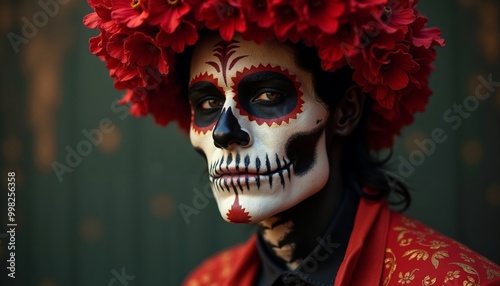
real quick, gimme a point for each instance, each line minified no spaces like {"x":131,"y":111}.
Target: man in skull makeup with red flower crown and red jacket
{"x":286,"y":99}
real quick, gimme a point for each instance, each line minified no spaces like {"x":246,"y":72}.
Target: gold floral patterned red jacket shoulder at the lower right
{"x":438,"y":259}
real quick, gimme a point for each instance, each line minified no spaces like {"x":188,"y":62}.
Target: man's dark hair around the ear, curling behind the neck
{"x":358,"y":165}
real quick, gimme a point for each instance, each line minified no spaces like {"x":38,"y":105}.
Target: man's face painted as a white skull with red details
{"x":257,"y":120}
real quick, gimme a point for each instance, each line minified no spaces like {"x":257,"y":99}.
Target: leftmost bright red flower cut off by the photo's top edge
{"x":131,"y":14}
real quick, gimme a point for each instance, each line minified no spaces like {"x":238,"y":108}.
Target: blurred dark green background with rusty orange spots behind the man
{"x":92,"y":212}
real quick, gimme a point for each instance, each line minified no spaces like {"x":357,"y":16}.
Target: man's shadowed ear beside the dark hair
{"x":348,"y":112}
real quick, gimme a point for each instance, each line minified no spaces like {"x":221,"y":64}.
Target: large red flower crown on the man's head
{"x":385,"y":42}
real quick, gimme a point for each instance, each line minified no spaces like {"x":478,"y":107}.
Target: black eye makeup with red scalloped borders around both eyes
{"x":264,"y":94}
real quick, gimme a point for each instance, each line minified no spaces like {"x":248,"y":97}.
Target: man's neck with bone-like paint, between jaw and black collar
{"x":291,"y":235}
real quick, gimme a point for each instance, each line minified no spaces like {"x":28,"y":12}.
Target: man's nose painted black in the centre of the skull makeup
{"x":228,"y":131}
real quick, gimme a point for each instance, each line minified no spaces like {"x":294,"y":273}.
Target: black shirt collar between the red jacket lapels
{"x":320,"y":267}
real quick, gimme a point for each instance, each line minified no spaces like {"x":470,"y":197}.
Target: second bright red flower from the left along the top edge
{"x":167,"y":13}
